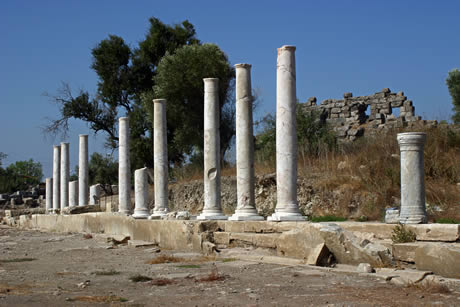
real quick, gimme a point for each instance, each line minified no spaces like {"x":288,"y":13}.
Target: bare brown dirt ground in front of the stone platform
{"x":50,"y":269}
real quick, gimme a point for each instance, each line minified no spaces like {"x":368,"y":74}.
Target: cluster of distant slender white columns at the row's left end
{"x":60,"y":192}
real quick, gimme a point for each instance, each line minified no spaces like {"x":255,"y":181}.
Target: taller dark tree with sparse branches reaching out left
{"x":124,"y":74}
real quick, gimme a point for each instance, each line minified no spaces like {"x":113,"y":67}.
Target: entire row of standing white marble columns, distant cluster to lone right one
{"x":287,"y":209}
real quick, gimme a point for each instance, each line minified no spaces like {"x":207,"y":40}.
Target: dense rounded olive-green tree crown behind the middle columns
{"x":179,"y":79}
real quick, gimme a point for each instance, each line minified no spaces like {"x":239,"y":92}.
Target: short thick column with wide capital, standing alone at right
{"x":413,"y":210}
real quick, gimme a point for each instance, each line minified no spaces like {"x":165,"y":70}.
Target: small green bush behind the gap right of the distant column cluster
{"x":103,"y":170}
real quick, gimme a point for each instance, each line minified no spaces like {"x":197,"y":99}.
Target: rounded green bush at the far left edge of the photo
{"x":20,"y":175}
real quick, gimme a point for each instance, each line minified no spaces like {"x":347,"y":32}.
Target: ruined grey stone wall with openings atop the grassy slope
{"x":352,"y":116}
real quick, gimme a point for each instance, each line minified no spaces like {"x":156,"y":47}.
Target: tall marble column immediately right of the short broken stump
{"x":160,"y":158}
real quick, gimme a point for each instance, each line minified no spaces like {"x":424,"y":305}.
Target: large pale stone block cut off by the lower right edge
{"x":441,"y":258}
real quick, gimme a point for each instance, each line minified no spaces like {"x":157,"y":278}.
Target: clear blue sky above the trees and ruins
{"x":342,"y":46}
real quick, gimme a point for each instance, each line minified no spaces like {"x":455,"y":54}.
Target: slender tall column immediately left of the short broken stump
{"x":124,"y":167}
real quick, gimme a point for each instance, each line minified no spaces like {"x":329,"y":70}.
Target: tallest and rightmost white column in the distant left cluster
{"x":83,"y":171}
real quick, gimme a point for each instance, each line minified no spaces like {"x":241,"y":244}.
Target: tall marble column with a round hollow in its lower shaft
{"x":212,"y":208}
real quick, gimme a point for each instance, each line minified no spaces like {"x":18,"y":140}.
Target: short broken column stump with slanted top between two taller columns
{"x":141,"y":195}
